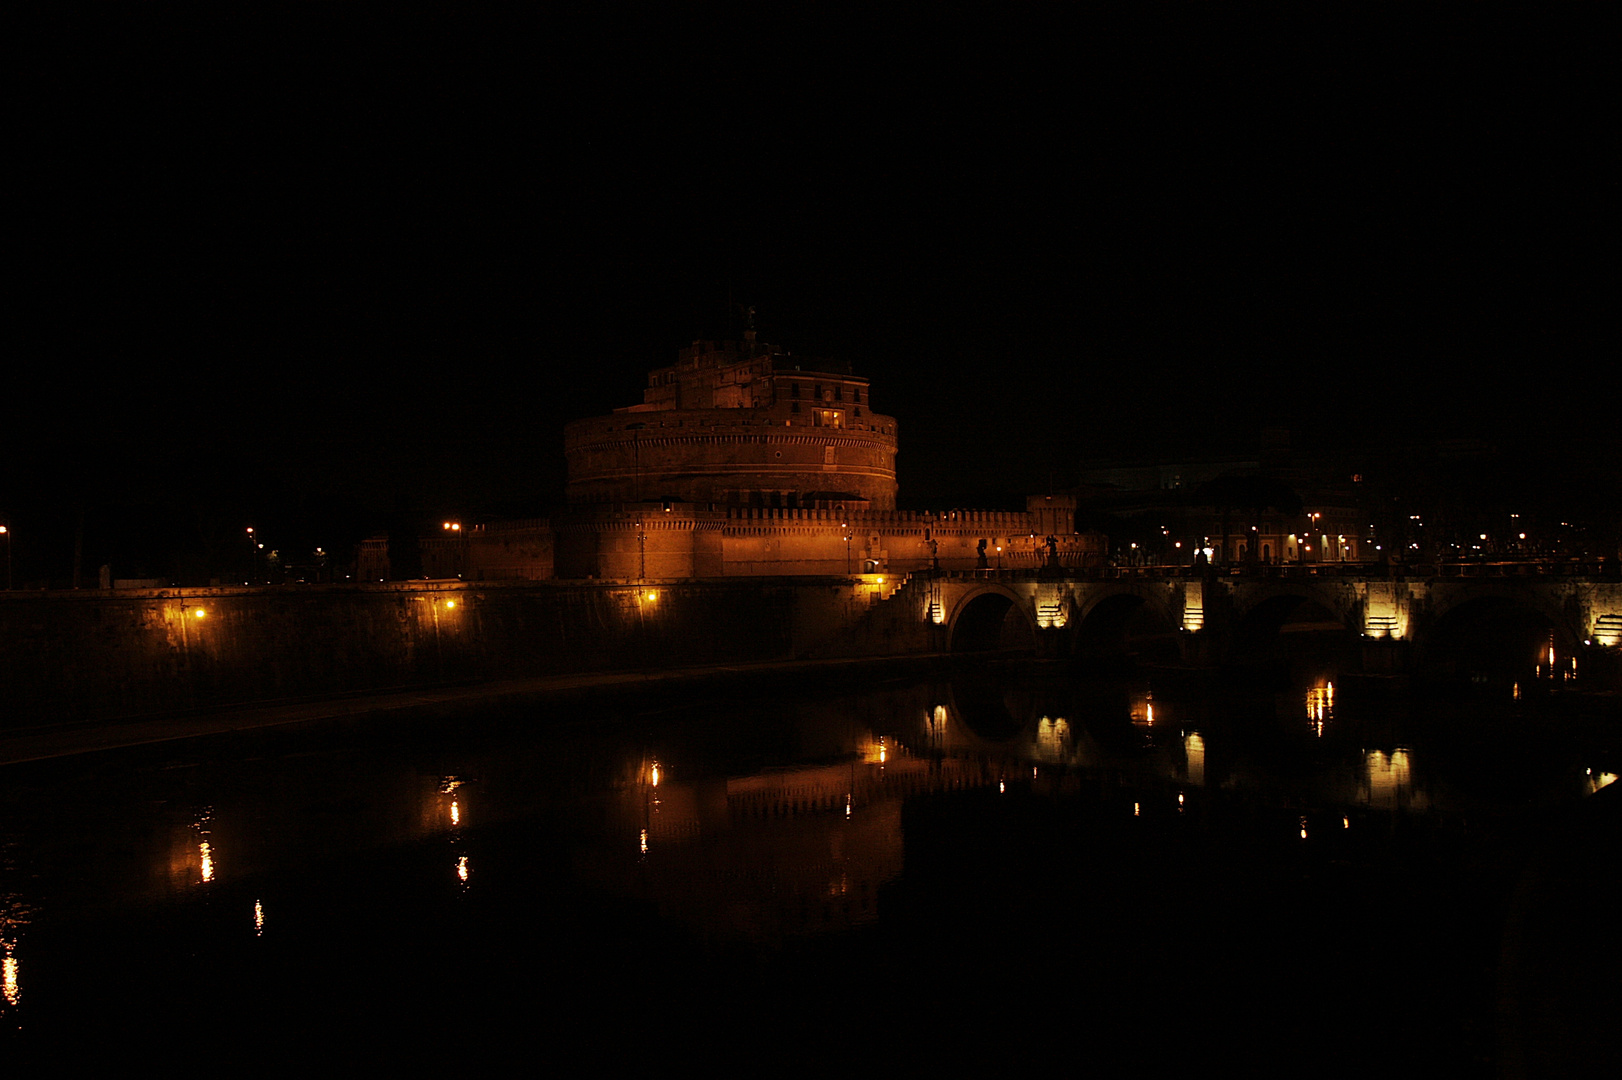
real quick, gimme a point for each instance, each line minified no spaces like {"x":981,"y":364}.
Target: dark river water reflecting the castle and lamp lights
{"x":1006,"y":868}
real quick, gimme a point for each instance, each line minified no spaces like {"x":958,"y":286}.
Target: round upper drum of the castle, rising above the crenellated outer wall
{"x":736,"y":424}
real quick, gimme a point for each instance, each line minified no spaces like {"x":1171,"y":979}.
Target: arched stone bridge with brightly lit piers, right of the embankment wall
{"x":1472,"y":619}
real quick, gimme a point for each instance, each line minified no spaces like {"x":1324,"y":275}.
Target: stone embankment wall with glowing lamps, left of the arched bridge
{"x":93,"y":656}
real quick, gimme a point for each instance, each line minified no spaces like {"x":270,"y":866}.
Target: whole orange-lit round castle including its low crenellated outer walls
{"x":740,"y":463}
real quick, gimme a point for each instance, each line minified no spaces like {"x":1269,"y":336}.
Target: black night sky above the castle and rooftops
{"x":315,"y":270}
